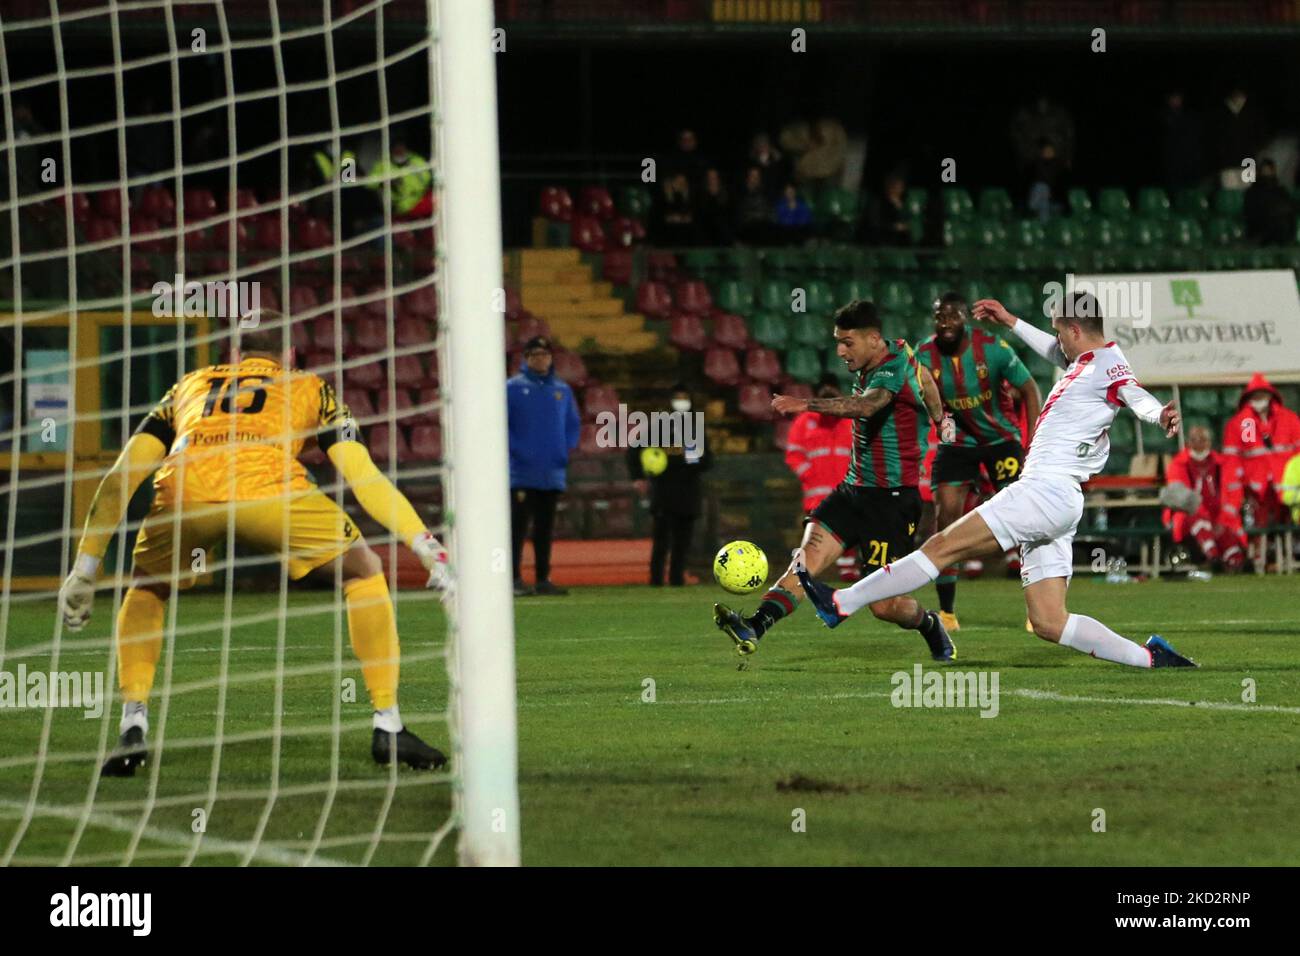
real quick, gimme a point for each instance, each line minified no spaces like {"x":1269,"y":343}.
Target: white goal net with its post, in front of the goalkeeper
{"x":171,"y":171}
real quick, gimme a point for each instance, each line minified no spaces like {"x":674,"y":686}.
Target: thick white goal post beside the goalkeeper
{"x":470,"y":254}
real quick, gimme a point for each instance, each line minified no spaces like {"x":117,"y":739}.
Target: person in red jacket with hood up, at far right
{"x":1258,"y":444}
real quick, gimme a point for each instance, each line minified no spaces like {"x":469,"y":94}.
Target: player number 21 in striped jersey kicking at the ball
{"x":877,"y":507}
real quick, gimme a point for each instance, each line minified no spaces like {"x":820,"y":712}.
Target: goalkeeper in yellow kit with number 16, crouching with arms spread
{"x":223,"y":445}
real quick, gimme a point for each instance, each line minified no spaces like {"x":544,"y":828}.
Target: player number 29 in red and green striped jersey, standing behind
{"x":970,"y":367}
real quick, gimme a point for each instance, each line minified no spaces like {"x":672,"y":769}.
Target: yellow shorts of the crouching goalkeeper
{"x":305,"y":529}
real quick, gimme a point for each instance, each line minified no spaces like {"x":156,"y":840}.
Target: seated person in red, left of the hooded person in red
{"x":1214,"y":524}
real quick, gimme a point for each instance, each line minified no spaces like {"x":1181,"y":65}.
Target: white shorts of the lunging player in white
{"x":1041,"y":517}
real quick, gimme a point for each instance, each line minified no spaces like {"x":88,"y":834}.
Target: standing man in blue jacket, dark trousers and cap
{"x":544,"y":429}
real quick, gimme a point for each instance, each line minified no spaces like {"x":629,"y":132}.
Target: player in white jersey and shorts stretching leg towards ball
{"x":1039,"y":513}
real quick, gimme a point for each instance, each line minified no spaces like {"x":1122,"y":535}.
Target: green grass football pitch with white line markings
{"x":726,"y":760}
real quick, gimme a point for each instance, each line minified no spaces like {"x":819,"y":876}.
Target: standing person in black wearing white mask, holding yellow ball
{"x":675,"y":496}
